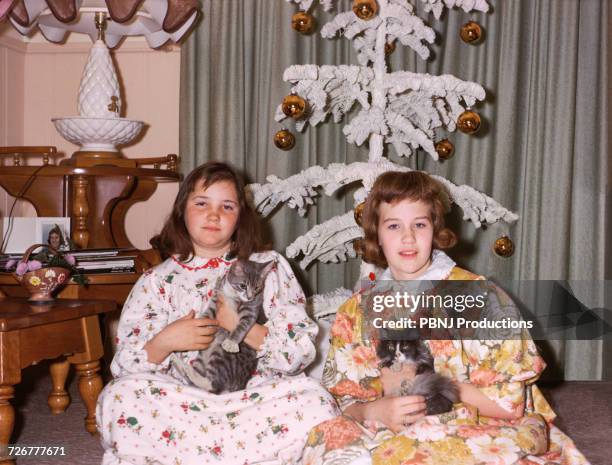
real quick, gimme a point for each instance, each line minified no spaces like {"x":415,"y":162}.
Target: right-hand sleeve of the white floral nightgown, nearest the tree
{"x":289,"y":345}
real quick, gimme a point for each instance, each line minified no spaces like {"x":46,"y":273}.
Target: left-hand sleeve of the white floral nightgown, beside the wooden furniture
{"x":145,"y":313}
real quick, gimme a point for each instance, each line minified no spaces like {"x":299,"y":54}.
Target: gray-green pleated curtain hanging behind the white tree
{"x":541,"y":153}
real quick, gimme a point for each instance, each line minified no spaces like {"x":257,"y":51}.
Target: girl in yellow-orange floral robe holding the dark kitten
{"x":502,"y":419}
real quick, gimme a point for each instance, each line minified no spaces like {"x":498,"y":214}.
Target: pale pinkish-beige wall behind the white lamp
{"x":40,"y":80}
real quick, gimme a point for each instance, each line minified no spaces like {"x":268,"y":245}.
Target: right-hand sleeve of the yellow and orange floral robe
{"x":503,"y":369}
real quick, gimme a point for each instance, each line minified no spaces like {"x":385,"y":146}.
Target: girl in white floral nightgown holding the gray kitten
{"x":149,"y":414}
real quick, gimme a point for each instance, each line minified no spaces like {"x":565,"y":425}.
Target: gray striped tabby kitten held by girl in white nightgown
{"x":228,"y":363}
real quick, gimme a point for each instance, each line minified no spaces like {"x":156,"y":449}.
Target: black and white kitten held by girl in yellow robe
{"x":440,"y":392}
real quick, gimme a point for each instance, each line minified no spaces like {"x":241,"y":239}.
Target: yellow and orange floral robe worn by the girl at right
{"x":504,"y":370}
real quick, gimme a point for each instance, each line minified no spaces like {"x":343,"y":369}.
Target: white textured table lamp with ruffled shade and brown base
{"x":99,"y":130}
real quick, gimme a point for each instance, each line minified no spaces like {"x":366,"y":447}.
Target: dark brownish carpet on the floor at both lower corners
{"x":584,"y":409}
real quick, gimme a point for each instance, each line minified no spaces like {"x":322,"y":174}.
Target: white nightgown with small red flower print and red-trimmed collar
{"x":149,"y":414}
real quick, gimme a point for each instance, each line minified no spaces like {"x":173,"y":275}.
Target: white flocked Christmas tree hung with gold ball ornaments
{"x":400,"y":108}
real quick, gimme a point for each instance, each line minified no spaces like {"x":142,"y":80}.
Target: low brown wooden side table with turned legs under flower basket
{"x":67,"y":330}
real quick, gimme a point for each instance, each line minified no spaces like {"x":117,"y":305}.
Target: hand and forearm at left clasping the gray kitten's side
{"x":186,"y":333}
